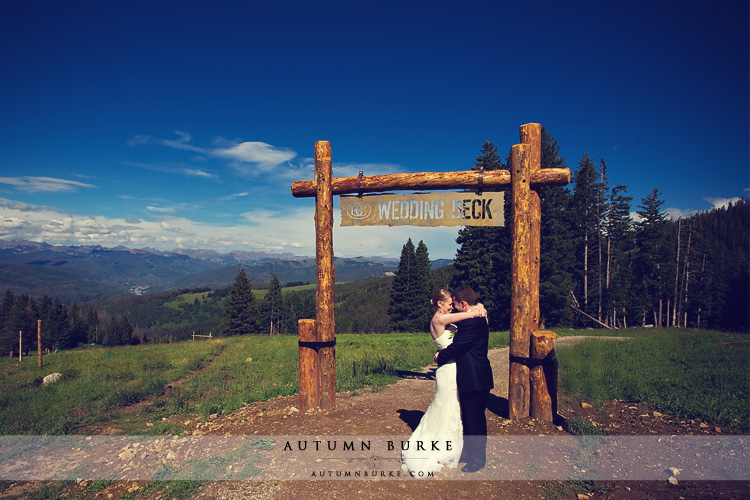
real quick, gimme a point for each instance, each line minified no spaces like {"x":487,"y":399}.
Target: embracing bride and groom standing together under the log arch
{"x":455,"y":421}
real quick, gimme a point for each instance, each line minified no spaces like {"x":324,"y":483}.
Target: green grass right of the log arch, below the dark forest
{"x":690,"y":373}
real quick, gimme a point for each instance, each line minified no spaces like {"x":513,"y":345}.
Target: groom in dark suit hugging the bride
{"x":473,"y":377}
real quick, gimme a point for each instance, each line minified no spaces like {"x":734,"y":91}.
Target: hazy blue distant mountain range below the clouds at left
{"x":79,"y":273}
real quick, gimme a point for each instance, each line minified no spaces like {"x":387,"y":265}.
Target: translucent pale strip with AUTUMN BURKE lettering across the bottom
{"x":217,"y":458}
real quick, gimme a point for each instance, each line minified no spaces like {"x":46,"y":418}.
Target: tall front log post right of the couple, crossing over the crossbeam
{"x":520,"y":310}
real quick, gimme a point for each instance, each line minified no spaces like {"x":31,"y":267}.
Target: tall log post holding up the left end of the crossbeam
{"x":325,"y":277}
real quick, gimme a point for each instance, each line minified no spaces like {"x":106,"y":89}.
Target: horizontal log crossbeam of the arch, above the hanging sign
{"x":428,"y":181}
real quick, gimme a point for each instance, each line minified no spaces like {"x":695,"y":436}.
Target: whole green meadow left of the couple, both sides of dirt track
{"x":98,"y":382}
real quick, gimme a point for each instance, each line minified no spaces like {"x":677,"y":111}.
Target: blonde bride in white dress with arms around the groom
{"x":438,"y":439}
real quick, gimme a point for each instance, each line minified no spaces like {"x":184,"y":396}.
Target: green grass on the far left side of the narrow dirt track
{"x":94,"y":382}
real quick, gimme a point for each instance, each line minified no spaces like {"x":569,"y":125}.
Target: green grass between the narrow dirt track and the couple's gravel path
{"x":258,"y":368}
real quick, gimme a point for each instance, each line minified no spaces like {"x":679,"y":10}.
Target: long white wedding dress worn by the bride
{"x":441,"y":423}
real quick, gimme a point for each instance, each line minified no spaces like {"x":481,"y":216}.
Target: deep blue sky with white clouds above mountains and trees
{"x":183,"y":124}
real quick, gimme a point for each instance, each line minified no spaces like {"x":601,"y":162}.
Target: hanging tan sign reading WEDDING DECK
{"x":424,"y":209}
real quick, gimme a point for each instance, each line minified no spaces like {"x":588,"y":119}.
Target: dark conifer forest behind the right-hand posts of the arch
{"x":613,"y":268}
